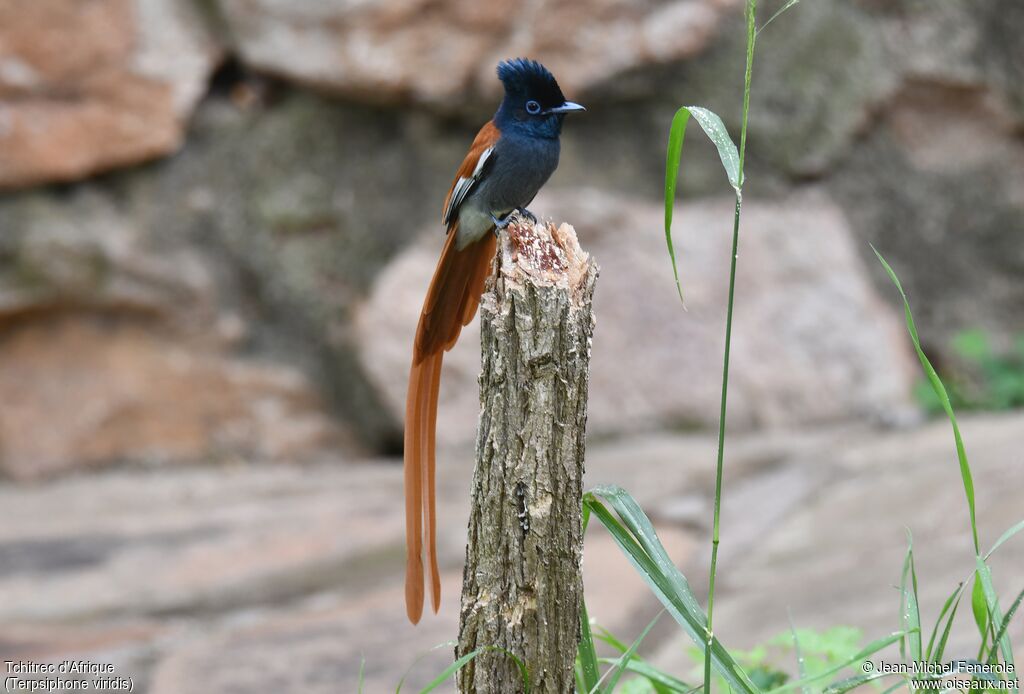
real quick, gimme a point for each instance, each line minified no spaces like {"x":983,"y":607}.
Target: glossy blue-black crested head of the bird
{"x":534,"y":104}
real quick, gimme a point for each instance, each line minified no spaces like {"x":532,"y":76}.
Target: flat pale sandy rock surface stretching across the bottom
{"x":227,"y":578}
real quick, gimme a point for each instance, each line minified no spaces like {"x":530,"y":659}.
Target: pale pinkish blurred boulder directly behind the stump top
{"x":814,"y":342}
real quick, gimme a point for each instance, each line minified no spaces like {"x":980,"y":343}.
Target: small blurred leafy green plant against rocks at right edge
{"x":980,"y":377}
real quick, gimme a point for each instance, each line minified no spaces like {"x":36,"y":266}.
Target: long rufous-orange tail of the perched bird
{"x":452,"y":302}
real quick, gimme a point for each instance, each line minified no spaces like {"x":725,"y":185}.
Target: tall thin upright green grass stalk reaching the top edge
{"x":751,"y":38}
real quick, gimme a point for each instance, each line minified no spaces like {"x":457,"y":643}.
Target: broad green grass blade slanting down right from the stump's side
{"x":667,"y":583}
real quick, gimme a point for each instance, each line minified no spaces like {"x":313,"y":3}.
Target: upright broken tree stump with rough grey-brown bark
{"x":523,"y":586}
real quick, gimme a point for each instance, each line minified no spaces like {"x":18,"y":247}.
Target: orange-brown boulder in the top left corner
{"x":91,"y":86}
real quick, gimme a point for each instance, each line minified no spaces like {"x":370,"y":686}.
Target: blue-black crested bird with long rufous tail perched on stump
{"x":510,"y":159}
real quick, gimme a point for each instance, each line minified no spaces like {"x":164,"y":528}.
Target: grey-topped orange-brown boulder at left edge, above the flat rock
{"x":117,"y":346}
